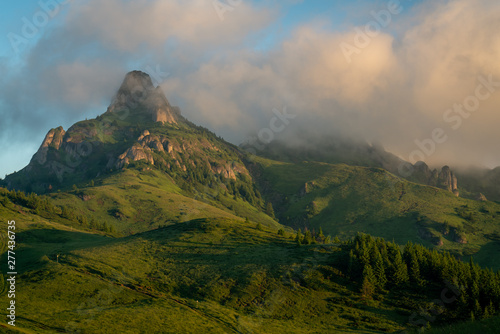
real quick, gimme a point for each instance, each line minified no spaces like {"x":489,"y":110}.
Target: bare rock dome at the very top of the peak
{"x":138,"y":93}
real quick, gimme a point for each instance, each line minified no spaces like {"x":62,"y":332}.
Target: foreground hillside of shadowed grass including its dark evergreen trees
{"x":223,"y":275}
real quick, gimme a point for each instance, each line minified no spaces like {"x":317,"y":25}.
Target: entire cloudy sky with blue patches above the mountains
{"x":420,"y":77}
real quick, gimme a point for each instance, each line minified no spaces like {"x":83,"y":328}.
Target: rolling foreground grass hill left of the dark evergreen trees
{"x":201,"y":276}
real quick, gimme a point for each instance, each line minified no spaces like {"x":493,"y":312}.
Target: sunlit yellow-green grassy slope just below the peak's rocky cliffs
{"x":134,"y":201}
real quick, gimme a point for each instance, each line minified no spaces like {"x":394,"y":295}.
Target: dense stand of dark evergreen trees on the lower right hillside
{"x":378,"y":266}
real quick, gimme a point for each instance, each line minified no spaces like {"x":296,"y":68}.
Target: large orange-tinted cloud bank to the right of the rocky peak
{"x":395,"y":91}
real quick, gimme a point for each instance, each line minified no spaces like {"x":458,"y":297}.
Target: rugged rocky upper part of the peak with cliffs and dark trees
{"x":140,"y":125}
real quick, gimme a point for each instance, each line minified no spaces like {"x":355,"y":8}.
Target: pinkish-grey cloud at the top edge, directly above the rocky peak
{"x":129,"y":25}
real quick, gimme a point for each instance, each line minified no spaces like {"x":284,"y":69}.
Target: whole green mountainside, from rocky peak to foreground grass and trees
{"x":144,"y":221}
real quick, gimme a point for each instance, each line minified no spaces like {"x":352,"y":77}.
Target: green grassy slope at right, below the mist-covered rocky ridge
{"x":349,"y":199}
